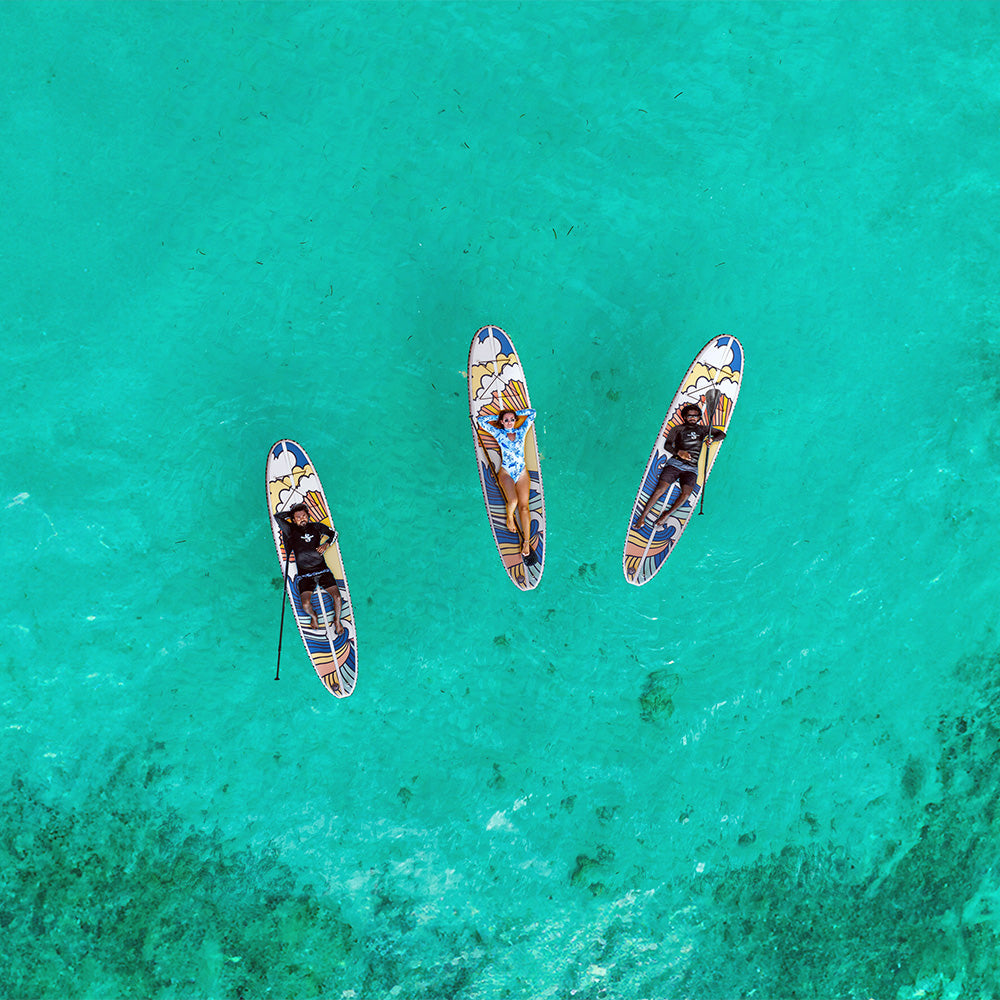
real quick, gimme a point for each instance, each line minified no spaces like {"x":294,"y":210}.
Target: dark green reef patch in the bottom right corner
{"x":808,"y":922}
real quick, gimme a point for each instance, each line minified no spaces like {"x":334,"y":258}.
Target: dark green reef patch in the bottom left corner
{"x":120,"y":897}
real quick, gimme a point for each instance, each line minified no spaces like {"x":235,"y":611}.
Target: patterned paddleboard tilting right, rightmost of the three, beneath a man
{"x":715,"y":376}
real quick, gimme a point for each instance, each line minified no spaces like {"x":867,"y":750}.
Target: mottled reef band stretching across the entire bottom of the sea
{"x":118,"y":897}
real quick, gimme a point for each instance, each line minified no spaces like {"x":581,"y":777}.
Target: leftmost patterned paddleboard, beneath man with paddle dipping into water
{"x":291,"y":479}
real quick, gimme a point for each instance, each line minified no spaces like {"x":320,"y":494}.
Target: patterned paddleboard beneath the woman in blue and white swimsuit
{"x":495,"y":367}
